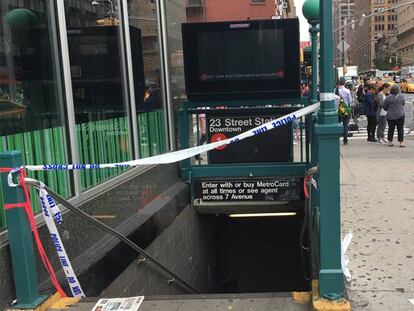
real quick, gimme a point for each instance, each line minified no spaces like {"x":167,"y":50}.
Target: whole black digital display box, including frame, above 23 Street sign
{"x":239,"y":60}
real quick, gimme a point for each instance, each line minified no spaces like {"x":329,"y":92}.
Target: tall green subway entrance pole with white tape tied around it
{"x":327,"y":131}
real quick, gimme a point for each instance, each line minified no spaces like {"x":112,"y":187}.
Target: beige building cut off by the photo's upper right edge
{"x":405,"y":34}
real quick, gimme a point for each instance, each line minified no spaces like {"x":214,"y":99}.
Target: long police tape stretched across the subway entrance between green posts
{"x":180,"y":155}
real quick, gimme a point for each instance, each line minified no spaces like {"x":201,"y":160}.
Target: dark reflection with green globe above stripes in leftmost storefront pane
{"x":29,"y":97}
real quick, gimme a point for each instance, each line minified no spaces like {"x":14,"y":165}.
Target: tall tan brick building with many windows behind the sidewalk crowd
{"x":371,"y":33}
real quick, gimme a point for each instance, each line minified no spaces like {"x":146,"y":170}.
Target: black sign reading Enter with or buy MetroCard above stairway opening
{"x":249,"y":190}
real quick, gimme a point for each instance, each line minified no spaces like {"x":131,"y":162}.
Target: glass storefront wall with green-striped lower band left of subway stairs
{"x":96,"y":82}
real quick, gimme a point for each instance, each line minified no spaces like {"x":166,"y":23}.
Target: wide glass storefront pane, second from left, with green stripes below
{"x":98,"y":83}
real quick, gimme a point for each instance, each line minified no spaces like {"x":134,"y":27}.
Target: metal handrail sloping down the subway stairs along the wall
{"x":114,"y":232}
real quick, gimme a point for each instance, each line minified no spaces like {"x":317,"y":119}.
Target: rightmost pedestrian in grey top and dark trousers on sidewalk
{"x":394,"y":105}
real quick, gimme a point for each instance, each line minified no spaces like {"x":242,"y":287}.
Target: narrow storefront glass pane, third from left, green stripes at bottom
{"x":147,"y":77}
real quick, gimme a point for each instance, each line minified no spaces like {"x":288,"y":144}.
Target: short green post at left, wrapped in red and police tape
{"x":20,"y":240}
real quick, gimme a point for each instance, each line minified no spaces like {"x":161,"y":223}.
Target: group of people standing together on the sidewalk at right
{"x":381,"y":105}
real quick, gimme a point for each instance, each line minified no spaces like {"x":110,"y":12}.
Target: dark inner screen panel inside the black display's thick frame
{"x":224,"y":61}
